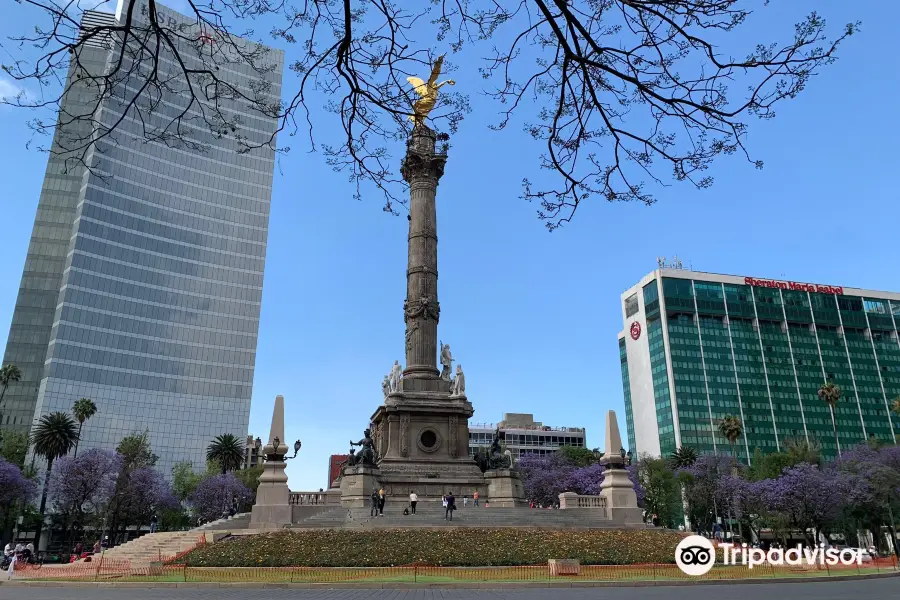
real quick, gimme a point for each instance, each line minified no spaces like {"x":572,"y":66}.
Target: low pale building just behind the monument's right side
{"x":522,"y":435}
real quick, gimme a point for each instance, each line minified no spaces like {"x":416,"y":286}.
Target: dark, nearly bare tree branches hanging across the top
{"x":618,"y":92}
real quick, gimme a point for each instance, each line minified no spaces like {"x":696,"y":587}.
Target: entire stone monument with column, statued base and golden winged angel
{"x":419,"y":436}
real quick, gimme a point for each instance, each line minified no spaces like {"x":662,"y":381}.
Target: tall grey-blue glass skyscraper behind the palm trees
{"x":143,"y":281}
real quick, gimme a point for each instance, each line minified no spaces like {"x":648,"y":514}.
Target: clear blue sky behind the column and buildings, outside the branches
{"x":533,"y":316}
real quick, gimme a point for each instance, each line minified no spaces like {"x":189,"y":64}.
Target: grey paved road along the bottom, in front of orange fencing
{"x":877,"y":589}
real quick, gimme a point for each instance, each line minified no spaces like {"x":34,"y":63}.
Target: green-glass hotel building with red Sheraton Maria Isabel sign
{"x":697,"y":347}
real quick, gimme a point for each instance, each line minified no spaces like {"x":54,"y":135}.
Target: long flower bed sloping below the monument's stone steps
{"x":464,"y":547}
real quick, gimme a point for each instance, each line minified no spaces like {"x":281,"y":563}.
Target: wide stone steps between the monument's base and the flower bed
{"x":432,"y":515}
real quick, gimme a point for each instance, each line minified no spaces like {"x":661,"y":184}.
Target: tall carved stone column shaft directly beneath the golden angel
{"x":422,"y":168}
